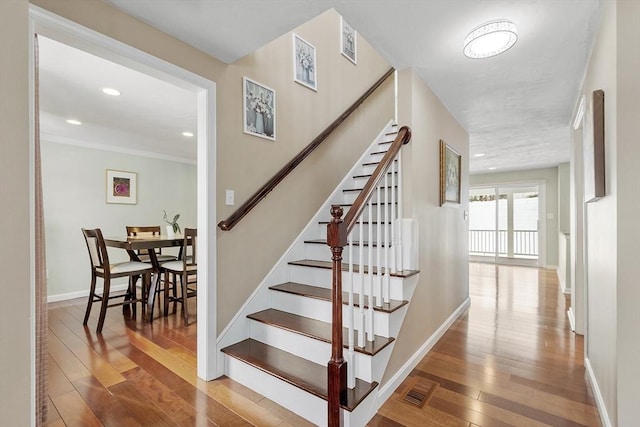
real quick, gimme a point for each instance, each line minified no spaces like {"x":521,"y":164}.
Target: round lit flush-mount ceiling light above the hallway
{"x":490,"y":39}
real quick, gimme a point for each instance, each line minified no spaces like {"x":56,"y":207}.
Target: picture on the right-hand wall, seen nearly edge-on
{"x":593,"y":150}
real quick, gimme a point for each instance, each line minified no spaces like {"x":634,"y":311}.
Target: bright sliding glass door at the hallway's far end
{"x":504,"y":224}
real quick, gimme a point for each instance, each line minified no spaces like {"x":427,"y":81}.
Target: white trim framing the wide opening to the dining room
{"x":73,"y":34}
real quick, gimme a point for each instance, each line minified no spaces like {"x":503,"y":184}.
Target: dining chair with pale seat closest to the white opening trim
{"x":186,"y":270}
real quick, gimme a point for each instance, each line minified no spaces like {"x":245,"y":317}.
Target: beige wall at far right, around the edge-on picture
{"x":612,"y":236}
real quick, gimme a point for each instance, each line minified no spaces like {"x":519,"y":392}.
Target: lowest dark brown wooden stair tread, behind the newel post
{"x":297,"y":371}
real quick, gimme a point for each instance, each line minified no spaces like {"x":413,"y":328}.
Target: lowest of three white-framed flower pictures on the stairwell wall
{"x":259,"y":109}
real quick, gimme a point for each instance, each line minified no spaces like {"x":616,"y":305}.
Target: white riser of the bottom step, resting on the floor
{"x":308,"y":406}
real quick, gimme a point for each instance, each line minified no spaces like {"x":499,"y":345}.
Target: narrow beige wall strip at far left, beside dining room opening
{"x":15,"y":305}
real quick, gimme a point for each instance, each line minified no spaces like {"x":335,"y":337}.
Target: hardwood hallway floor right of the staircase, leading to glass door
{"x":510,"y":360}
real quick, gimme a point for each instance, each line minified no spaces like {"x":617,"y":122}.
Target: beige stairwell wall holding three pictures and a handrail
{"x":249,"y":251}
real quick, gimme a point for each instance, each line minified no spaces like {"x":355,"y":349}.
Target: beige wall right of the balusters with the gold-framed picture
{"x":443,"y":232}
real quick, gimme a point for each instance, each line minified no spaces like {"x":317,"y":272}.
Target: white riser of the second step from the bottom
{"x":367,"y":367}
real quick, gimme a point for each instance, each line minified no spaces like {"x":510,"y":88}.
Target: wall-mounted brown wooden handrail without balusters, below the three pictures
{"x":252,"y":202}
